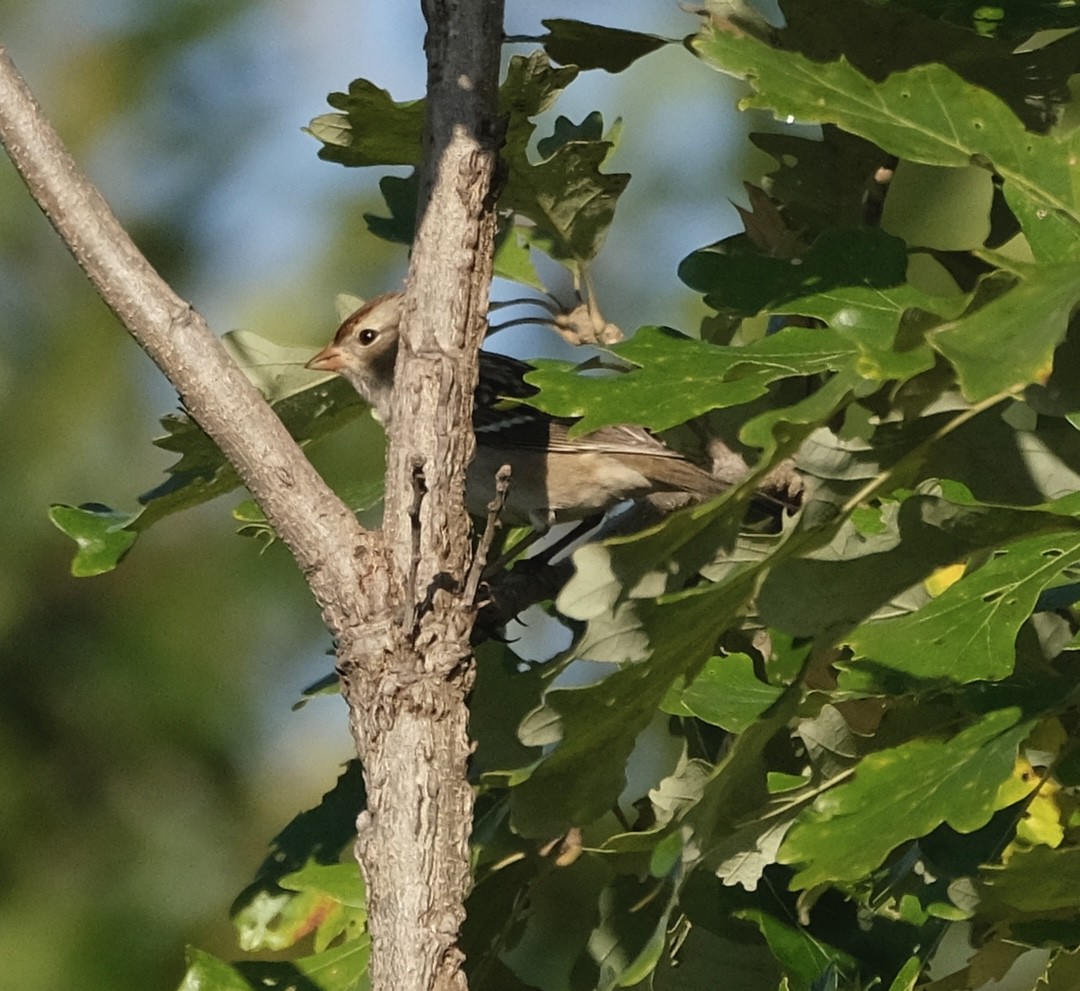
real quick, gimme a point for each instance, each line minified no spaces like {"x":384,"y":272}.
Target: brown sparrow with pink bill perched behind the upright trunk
{"x":555,"y":478}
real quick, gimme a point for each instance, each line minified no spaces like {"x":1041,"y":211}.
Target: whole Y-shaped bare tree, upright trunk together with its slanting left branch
{"x":397,"y":601}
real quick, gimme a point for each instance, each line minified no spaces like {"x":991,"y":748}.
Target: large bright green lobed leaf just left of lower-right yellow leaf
{"x":901,"y":794}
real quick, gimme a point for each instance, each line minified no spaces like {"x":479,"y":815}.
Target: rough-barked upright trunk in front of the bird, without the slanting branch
{"x":408,"y":696}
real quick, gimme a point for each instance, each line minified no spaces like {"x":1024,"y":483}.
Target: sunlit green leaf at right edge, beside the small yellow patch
{"x":969,"y":632}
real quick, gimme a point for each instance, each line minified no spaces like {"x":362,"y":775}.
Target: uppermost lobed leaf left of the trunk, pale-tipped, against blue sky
{"x":371,"y":130}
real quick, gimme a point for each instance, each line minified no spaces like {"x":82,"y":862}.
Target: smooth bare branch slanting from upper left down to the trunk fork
{"x":317,"y":526}
